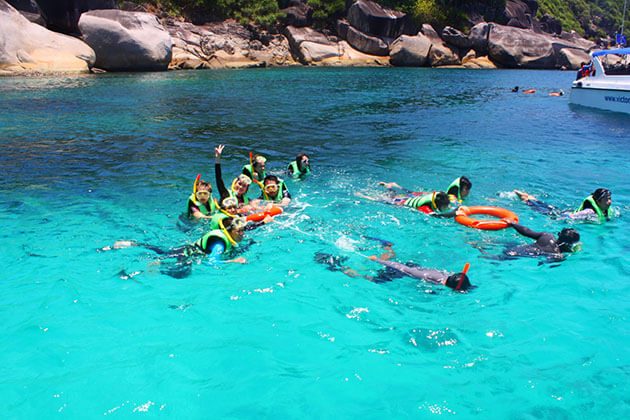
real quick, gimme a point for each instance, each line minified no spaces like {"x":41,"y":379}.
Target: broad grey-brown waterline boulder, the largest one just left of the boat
{"x":520,"y":48}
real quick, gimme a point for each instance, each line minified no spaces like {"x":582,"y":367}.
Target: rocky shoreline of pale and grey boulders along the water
{"x":97,"y":37}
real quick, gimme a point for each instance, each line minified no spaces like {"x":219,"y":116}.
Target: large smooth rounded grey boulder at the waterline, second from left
{"x":126,"y":41}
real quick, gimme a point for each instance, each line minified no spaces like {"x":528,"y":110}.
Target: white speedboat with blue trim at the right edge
{"x":608,"y":86}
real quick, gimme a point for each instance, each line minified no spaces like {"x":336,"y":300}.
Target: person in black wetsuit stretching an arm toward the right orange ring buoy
{"x":546,"y":243}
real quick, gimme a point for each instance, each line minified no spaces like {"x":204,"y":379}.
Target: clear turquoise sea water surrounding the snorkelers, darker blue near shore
{"x":90,"y":160}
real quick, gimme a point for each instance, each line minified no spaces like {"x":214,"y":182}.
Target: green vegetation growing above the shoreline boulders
{"x":592,"y":18}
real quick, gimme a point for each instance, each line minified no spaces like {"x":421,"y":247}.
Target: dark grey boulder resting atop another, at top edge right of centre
{"x":372,"y":19}
